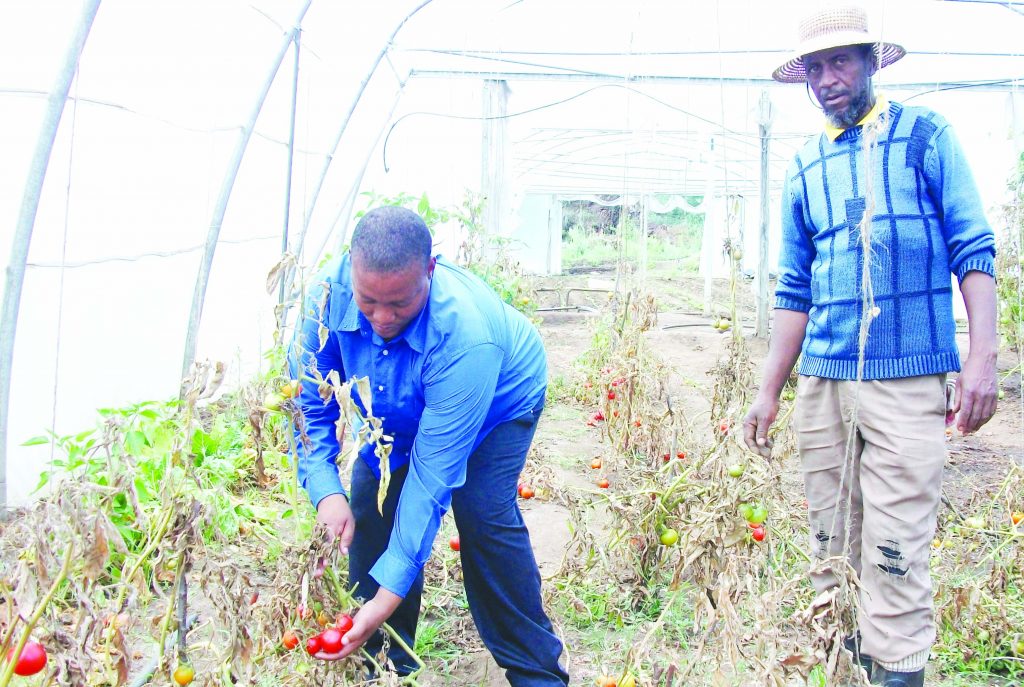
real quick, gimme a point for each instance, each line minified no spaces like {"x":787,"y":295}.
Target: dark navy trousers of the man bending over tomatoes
{"x":503,"y":584}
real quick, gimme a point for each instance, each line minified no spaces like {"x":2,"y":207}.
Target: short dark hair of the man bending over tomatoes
{"x":391,"y":239}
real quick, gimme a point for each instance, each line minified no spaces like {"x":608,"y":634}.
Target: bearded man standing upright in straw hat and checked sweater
{"x":873,"y":452}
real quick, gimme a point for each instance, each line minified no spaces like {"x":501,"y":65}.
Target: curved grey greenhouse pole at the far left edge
{"x":27,"y":220}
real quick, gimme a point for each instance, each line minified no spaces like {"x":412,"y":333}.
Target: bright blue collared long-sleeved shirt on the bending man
{"x":467,"y":363}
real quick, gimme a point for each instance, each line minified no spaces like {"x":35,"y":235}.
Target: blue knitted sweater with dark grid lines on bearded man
{"x":928,"y":223}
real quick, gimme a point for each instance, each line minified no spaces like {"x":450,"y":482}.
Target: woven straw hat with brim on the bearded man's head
{"x":832,"y":27}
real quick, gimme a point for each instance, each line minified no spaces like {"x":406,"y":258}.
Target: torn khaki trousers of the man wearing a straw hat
{"x":893,"y":485}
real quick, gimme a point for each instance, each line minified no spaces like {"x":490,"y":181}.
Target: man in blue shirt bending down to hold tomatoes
{"x":459,"y":379}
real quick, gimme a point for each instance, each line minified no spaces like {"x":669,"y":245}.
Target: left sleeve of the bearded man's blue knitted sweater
{"x":794,"y":289}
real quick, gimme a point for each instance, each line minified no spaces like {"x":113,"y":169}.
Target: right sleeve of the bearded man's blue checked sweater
{"x":970,"y":240}
